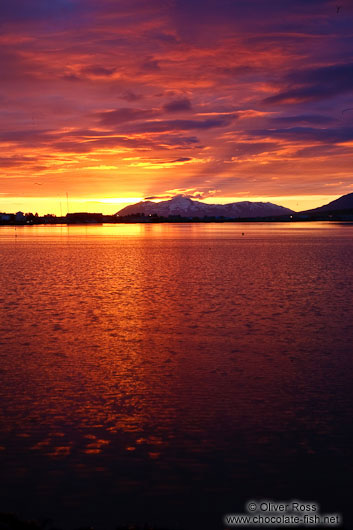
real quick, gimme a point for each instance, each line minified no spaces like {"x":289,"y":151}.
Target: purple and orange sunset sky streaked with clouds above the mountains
{"x":106,"y":102}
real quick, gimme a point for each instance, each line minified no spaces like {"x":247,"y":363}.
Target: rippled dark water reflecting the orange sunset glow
{"x":168,"y":373}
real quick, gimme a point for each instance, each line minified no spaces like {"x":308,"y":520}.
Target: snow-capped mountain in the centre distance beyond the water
{"x":185,"y":207}
